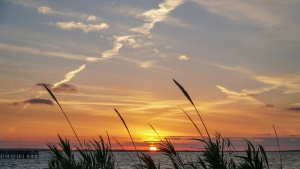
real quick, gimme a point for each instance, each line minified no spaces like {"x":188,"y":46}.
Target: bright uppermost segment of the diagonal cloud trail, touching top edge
{"x":156,"y":15}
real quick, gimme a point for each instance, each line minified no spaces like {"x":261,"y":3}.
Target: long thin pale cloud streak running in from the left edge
{"x":34,"y":51}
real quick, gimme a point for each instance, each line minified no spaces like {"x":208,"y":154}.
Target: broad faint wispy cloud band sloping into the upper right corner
{"x":250,"y":12}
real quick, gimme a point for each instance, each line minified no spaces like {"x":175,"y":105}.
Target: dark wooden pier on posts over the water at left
{"x":19,"y":154}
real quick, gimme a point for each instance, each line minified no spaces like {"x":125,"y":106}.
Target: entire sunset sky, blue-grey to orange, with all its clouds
{"x":238,"y":60}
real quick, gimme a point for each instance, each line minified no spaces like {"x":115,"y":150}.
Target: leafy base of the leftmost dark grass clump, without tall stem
{"x":97,"y":154}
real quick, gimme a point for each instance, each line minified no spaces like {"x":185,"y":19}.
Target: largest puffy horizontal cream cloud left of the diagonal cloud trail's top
{"x":79,"y":25}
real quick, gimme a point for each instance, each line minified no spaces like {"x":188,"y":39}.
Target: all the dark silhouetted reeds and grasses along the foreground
{"x":218,"y":152}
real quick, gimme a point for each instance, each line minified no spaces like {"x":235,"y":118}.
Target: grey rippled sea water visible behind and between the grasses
{"x":127,"y":160}
